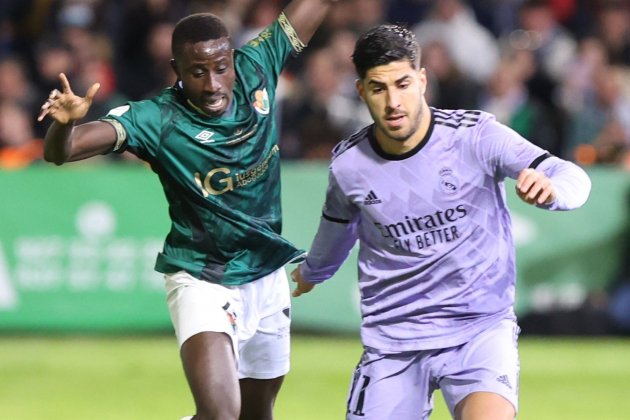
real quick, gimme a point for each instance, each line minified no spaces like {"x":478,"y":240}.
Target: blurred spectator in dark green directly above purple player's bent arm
{"x":507,"y":97}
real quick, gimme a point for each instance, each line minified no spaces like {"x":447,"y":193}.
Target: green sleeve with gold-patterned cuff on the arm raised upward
{"x":273,"y":46}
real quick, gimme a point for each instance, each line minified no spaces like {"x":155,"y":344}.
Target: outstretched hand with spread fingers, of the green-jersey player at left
{"x":65,"y":107}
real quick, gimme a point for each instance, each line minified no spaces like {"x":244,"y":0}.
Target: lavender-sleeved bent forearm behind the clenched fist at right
{"x":571,"y":184}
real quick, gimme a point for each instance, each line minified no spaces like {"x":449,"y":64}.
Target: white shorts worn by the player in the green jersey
{"x":255,"y":315}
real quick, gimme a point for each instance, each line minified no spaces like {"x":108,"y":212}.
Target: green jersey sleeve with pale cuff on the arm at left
{"x":138,"y":127}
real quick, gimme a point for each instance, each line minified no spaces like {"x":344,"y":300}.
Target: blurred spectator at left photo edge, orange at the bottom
{"x":18,"y":146}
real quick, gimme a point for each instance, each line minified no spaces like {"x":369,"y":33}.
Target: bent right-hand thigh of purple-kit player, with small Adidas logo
{"x":488,"y":364}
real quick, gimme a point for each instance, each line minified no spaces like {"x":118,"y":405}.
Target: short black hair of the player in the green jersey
{"x":195,"y":28}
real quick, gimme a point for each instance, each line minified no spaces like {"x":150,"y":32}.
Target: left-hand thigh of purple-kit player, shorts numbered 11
{"x":390,"y":387}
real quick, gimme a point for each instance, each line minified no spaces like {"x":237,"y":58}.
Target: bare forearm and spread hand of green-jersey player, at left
{"x":63,"y":141}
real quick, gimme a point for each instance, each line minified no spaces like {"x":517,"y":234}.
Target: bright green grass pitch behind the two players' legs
{"x":69,"y":378}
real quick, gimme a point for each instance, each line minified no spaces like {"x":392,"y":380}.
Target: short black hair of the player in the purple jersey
{"x":383,"y":44}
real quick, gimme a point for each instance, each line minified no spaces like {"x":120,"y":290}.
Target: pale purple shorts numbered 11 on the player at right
{"x":401,"y":385}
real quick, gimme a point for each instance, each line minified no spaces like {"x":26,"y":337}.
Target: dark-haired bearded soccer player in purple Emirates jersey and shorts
{"x":422,"y":190}
